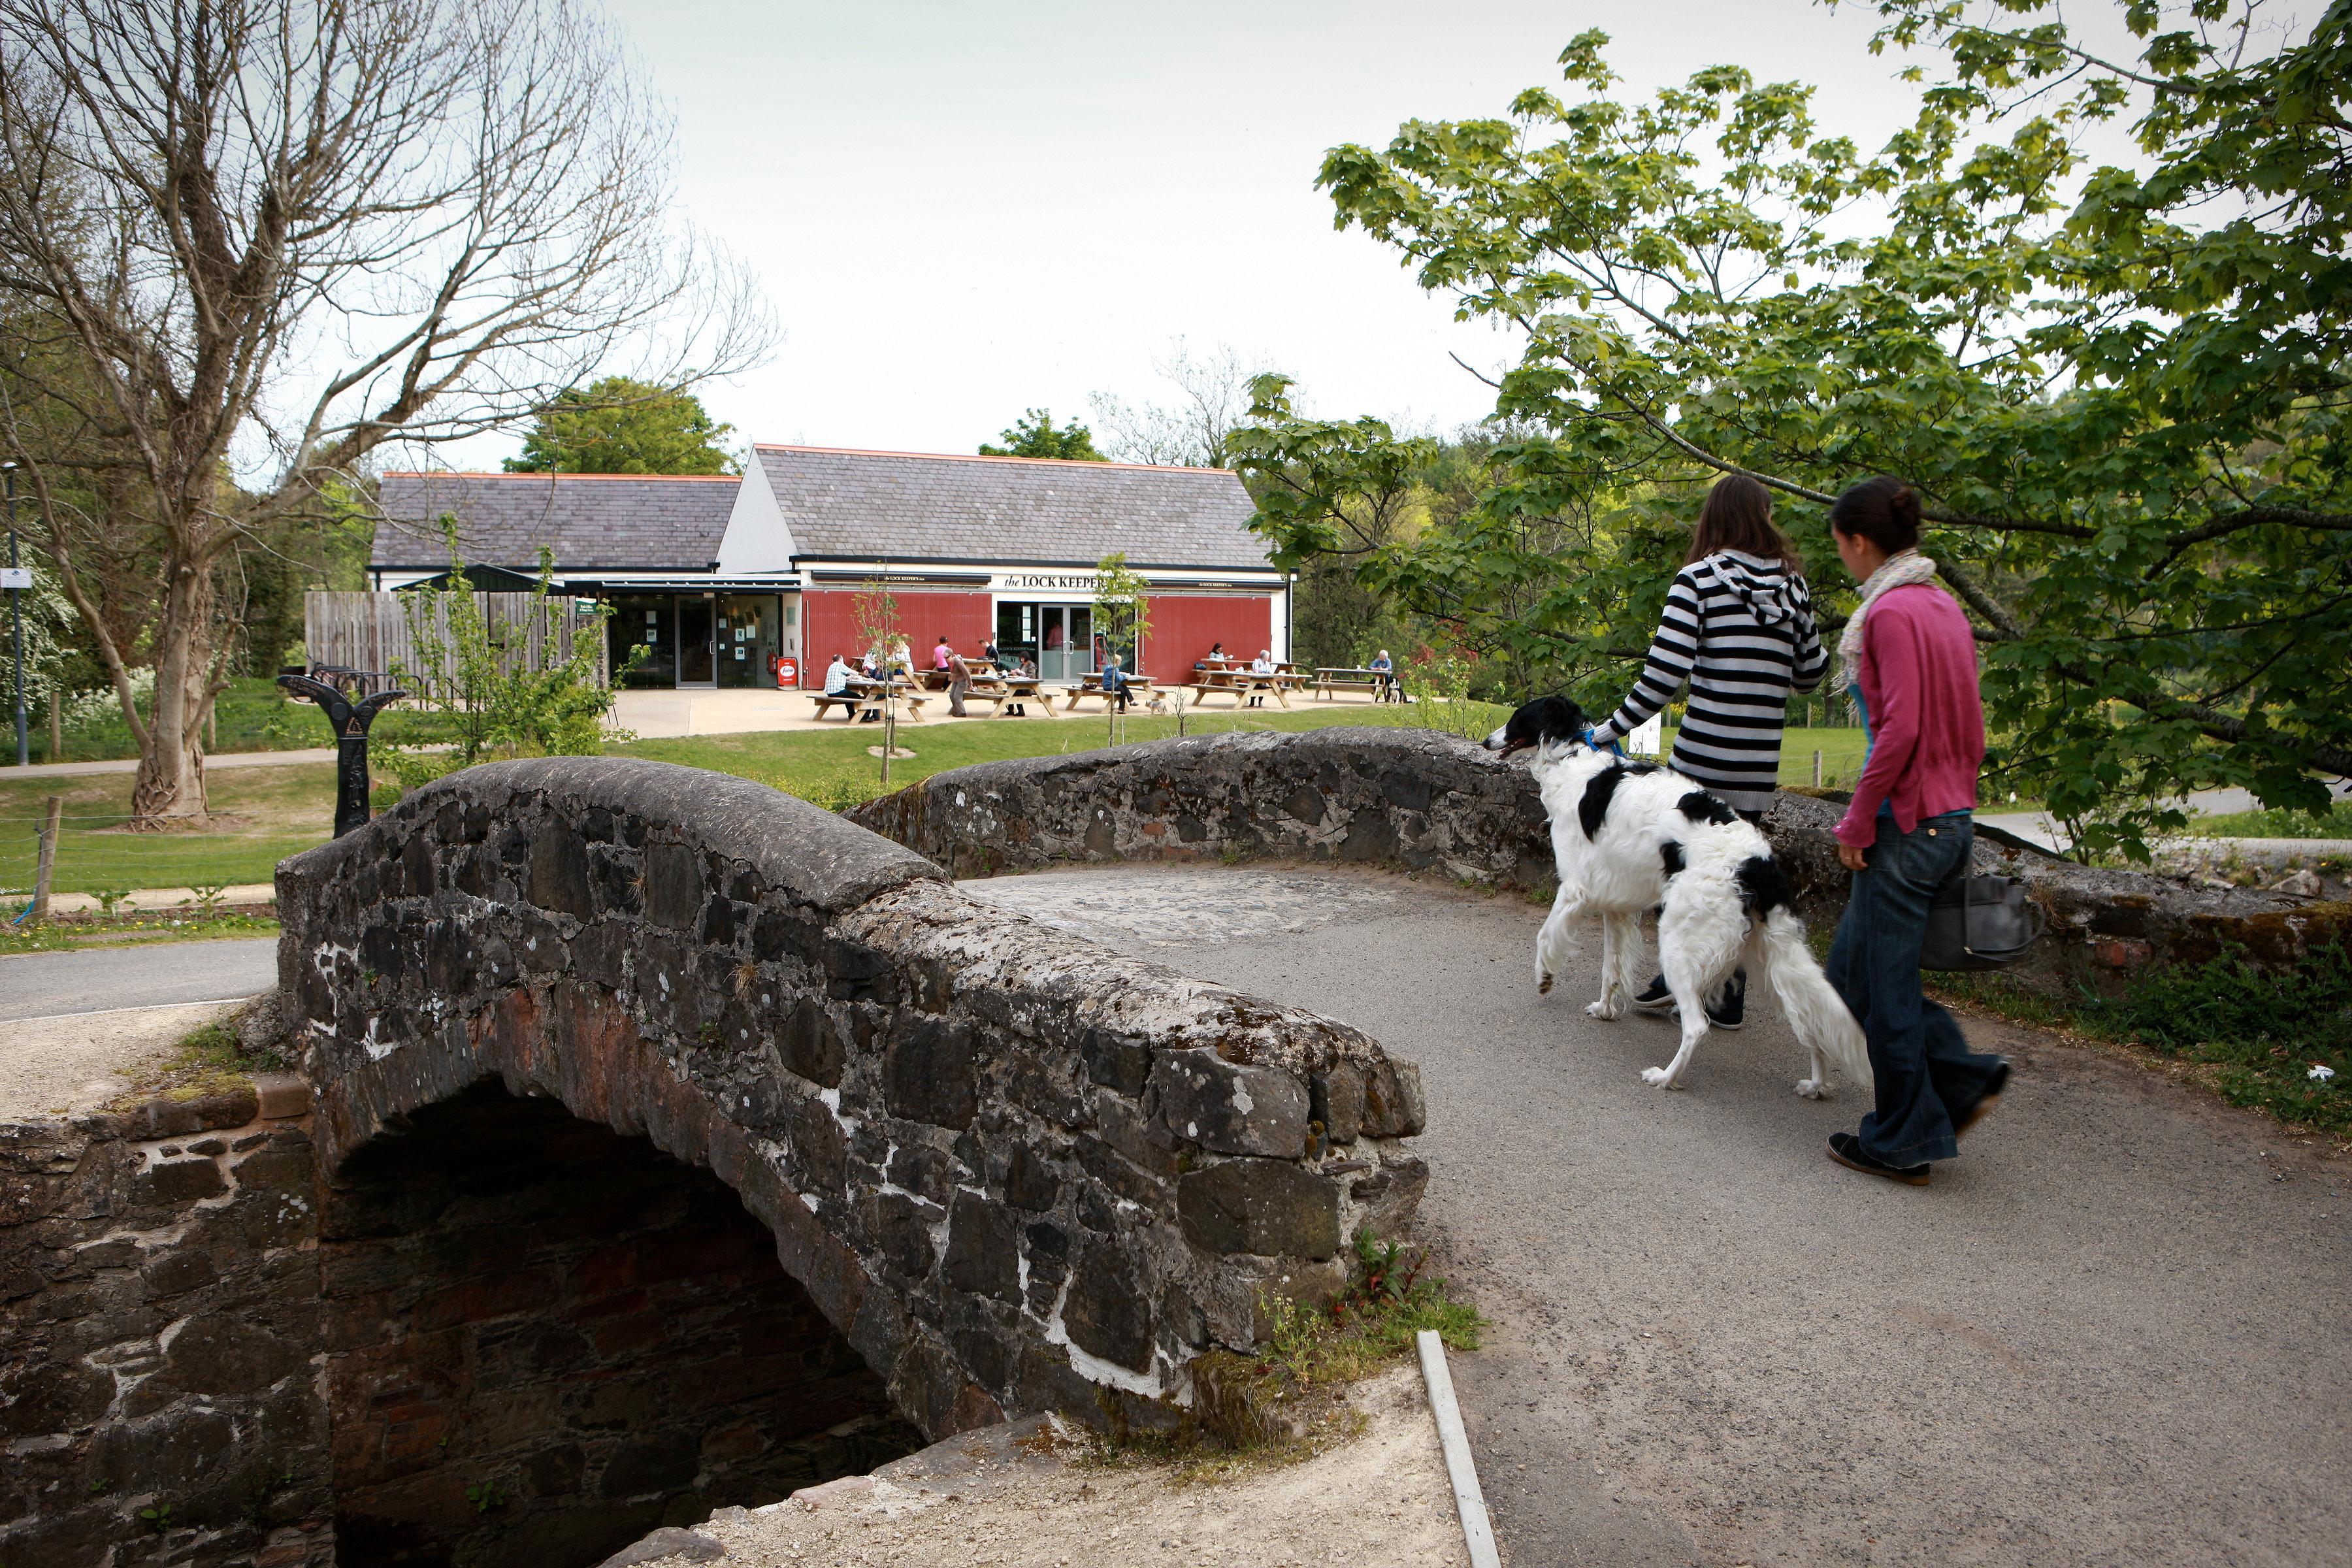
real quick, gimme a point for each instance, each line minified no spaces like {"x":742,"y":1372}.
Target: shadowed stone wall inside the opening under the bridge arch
{"x":584,"y":1334}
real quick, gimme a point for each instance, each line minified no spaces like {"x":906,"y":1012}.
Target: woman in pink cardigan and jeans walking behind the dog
{"x":1909,"y":659}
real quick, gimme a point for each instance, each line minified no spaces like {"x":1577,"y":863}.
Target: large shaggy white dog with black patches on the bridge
{"x":1633,"y":838}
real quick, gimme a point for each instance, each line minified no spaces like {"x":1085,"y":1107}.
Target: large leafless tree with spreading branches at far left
{"x":262,"y":239}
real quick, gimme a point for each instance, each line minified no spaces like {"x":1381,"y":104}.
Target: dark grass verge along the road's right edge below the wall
{"x":2250,"y":1033}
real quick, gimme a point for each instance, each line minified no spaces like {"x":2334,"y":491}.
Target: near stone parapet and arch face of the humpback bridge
{"x":1013,"y":1167}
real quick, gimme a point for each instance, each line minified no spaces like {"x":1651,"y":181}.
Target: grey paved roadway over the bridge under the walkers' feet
{"x":2116,"y":1332}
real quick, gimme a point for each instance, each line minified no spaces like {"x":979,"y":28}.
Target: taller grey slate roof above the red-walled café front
{"x":968,"y":509}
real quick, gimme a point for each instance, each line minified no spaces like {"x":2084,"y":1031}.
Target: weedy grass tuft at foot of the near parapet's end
{"x":1285,"y":1405}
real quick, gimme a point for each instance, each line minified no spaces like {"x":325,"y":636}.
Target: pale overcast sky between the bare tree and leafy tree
{"x":963,"y":210}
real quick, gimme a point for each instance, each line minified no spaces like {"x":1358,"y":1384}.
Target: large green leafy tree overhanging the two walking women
{"x":2120,"y":389}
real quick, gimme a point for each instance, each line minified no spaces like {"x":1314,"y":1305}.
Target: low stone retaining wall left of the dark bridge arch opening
{"x":161,"y":1327}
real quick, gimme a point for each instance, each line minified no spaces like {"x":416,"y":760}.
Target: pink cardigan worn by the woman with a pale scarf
{"x":1927,"y":725}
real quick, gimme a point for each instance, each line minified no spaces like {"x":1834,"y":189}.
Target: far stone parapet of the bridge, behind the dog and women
{"x":1436,"y":803}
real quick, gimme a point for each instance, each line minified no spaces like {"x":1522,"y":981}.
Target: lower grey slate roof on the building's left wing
{"x":594,"y":523}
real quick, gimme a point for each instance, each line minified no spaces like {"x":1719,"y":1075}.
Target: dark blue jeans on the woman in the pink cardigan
{"x":1923,"y":1064}
